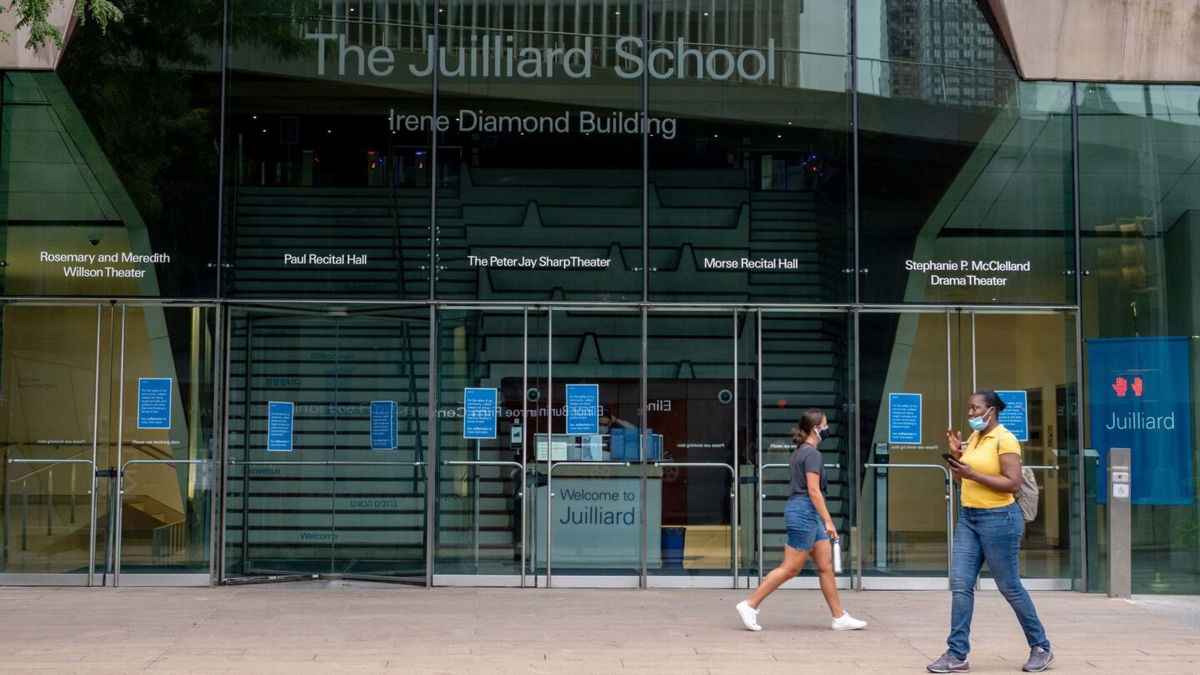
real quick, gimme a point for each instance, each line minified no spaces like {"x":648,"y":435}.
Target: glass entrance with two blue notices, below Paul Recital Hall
{"x":328,"y":438}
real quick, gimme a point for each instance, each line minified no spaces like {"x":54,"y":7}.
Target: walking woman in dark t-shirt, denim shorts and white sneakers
{"x":809,"y":528}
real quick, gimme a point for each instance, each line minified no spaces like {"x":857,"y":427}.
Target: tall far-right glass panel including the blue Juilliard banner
{"x":1139,"y":205}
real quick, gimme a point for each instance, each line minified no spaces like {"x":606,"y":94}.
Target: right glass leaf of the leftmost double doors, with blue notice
{"x":166,"y":439}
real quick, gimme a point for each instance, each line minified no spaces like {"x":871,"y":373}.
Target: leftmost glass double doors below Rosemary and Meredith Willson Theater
{"x":107,"y":426}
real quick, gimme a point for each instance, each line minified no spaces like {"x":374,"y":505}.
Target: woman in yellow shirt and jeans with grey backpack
{"x":991,"y":529}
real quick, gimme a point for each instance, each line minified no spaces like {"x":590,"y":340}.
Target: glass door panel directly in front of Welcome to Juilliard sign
{"x":593,"y":473}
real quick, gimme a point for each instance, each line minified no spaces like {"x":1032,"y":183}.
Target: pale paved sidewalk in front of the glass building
{"x":341,"y":628}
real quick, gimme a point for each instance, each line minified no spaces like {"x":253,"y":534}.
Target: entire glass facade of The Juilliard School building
{"x":532,"y":294}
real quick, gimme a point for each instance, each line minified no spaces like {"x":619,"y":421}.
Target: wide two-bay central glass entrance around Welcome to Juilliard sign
{"x":652,"y":446}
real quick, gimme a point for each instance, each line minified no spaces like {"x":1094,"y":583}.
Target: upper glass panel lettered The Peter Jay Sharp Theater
{"x":541,"y":105}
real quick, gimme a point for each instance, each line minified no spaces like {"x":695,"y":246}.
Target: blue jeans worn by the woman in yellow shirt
{"x":992,"y":535}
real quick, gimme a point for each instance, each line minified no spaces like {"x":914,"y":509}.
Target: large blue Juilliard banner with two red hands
{"x":1141,"y":398}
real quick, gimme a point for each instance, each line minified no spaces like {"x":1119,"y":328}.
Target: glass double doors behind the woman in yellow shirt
{"x":917,"y":389}
